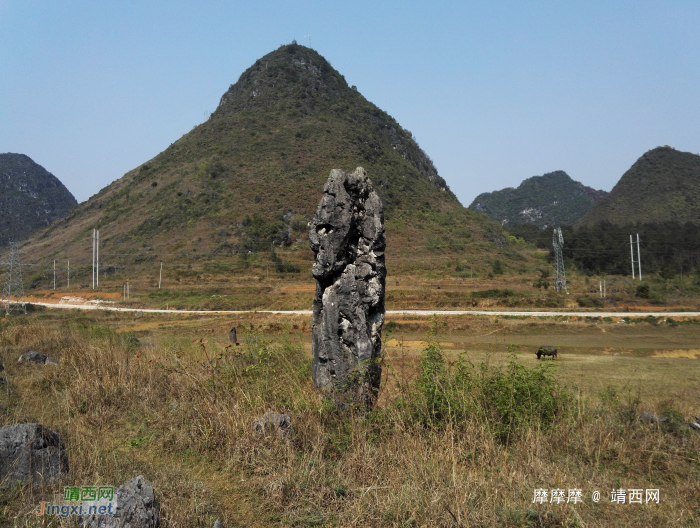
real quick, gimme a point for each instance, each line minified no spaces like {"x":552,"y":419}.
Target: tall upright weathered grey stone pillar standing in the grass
{"x":347,"y":238}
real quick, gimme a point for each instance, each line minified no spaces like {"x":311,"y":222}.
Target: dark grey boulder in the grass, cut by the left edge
{"x":30,"y":453}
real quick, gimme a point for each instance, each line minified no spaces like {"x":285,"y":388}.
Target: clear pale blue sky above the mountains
{"x":494,"y":92}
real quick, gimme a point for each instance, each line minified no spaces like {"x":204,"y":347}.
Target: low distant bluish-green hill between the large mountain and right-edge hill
{"x":551,"y":199}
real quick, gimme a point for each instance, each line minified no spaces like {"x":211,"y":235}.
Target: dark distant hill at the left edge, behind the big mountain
{"x":30,"y":197}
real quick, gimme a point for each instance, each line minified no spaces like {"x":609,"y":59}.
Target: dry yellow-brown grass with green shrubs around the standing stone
{"x":459,"y":443}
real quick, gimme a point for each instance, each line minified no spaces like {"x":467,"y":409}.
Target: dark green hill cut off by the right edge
{"x":662,"y":185}
